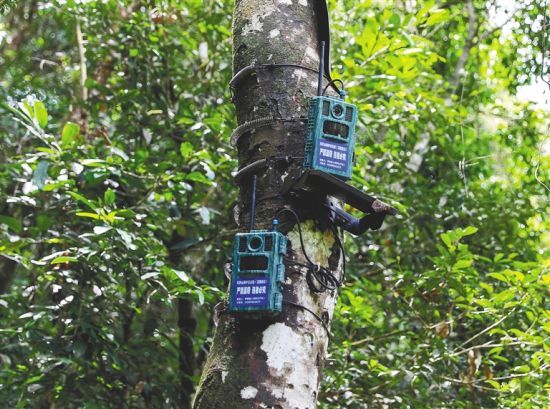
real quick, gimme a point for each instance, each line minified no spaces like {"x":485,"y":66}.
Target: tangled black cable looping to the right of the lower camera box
{"x":318,"y":278}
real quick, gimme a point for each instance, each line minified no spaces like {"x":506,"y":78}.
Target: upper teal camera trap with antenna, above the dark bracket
{"x":330,"y":138}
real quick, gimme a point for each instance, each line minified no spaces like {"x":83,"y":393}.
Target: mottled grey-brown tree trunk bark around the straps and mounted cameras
{"x":274,"y":363}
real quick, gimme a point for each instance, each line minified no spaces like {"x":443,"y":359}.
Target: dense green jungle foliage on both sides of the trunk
{"x":117,"y":198}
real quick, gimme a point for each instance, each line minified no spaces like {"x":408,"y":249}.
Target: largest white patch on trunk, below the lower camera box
{"x":289,"y":357}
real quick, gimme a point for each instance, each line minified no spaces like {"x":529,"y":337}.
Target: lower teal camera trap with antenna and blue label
{"x":258,"y":269}
